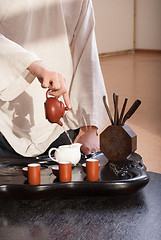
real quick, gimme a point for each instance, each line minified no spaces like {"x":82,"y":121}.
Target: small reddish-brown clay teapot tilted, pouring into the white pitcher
{"x":54,"y":109}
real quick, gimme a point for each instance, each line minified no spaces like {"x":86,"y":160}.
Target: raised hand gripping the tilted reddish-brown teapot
{"x":50,"y":79}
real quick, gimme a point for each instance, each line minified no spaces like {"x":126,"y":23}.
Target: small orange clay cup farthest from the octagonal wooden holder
{"x":34,"y":173}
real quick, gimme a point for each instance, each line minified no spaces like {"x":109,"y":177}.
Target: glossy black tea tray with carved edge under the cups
{"x":115,"y":178}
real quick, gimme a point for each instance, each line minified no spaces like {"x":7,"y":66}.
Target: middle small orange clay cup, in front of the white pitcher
{"x":65,"y":171}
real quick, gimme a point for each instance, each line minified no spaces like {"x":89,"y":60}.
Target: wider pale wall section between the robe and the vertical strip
{"x":114,"y":25}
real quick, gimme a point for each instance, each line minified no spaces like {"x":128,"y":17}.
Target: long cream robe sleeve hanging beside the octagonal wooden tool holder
{"x":87,"y":87}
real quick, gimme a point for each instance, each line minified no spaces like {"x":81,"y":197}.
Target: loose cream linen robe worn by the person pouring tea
{"x":61,"y":34}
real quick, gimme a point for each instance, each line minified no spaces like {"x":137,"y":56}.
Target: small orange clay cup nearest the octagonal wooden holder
{"x":92,"y":169}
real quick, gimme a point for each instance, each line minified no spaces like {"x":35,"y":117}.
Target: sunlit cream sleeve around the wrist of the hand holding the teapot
{"x":13,"y":60}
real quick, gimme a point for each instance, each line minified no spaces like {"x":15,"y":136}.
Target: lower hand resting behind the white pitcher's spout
{"x":89,"y":139}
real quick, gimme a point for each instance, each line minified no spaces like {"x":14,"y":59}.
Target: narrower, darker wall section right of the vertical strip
{"x":148,"y":24}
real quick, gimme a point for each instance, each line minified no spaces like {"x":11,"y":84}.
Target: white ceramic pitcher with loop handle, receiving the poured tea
{"x":70,"y":153}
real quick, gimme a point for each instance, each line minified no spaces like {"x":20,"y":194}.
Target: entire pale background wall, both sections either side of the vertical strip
{"x":115,"y":22}
